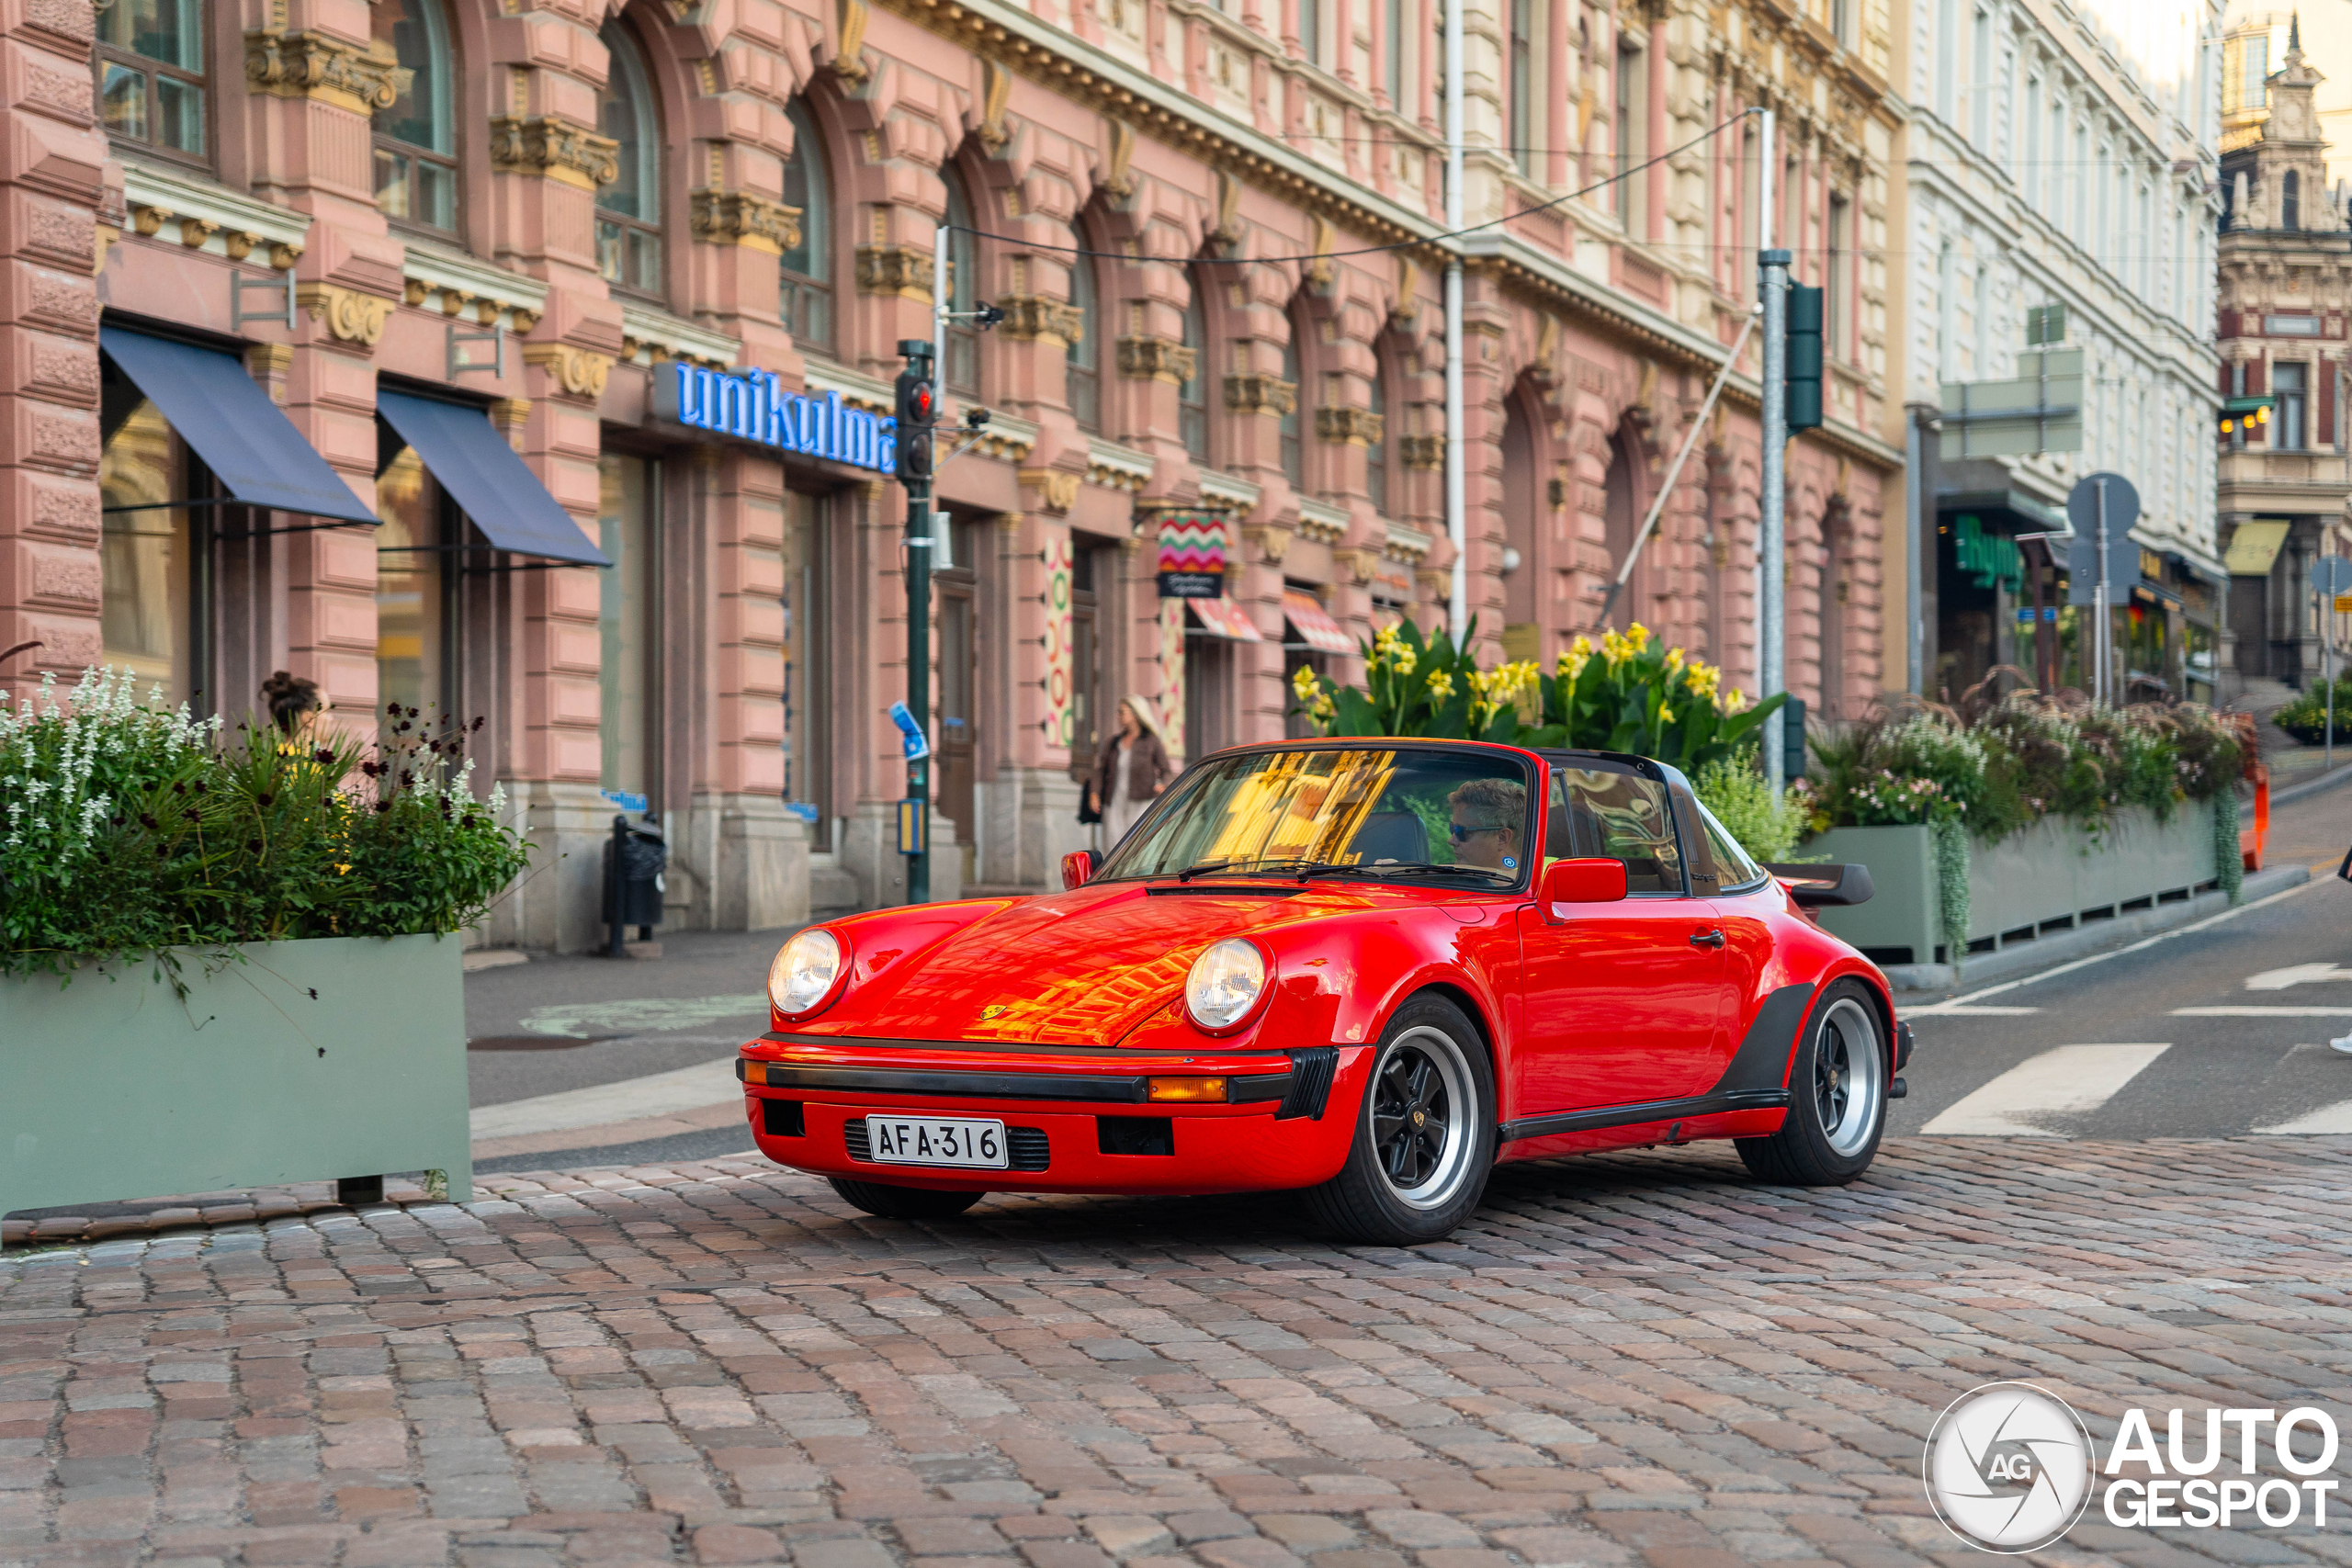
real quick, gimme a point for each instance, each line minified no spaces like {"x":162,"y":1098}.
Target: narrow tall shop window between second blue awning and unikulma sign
{"x":629,"y":669}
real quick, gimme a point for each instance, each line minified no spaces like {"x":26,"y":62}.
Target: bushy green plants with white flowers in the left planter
{"x":131,"y":831}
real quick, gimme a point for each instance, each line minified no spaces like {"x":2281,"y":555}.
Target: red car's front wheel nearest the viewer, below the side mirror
{"x":1424,"y":1134}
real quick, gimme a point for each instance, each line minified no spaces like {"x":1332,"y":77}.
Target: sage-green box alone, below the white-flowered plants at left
{"x":309,"y":1061}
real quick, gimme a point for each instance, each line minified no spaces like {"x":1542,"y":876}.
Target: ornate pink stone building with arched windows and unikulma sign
{"x":1212,"y":236}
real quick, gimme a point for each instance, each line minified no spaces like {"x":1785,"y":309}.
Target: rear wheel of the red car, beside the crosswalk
{"x":1838,"y":1099}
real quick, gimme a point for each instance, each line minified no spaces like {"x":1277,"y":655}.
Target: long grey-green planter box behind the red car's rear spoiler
{"x":2050,"y":878}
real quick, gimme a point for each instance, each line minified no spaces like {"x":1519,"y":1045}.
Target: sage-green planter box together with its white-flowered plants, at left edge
{"x":227,"y":956}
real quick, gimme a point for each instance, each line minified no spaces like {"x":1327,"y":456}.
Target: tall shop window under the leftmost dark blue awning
{"x":149,"y":596}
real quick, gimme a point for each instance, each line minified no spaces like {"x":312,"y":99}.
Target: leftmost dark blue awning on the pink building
{"x":229,"y":422}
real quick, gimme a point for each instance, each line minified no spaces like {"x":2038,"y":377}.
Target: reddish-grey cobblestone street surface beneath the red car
{"x":1633,"y":1360}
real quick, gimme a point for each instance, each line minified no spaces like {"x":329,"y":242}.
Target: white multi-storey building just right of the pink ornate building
{"x":2062,"y":159}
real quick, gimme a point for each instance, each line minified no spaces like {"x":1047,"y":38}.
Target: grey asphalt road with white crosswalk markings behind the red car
{"x":2203,"y":1033}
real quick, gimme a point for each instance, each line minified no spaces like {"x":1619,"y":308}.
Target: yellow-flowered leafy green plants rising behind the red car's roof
{"x":1626,"y":697}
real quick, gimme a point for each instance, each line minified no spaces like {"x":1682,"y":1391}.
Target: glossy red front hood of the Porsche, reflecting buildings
{"x":1078,"y":970}
